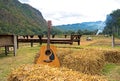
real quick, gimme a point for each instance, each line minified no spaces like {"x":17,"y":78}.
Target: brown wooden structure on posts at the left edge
{"x":7,"y":41}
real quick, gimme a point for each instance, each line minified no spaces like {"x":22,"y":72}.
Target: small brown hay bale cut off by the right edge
{"x":112,"y":56}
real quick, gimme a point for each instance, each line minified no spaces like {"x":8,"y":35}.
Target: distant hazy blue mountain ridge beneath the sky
{"x":91,"y":26}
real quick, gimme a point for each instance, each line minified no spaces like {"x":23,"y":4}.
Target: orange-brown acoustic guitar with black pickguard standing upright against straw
{"x":48,"y":53}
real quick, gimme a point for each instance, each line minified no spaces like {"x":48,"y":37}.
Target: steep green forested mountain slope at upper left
{"x":18,"y":18}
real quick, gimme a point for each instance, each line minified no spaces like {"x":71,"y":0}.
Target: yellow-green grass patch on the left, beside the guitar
{"x":25,"y":55}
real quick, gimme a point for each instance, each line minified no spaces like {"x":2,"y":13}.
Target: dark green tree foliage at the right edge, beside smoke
{"x":113,"y":23}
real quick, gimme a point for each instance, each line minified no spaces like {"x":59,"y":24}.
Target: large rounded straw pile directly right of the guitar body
{"x":88,"y":61}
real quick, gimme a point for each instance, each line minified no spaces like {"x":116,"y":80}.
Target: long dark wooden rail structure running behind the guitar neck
{"x":40,"y":39}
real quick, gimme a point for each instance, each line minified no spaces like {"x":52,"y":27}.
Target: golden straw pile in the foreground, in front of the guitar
{"x":47,"y":73}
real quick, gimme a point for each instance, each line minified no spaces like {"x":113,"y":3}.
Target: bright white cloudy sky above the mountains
{"x":74,"y":11}
